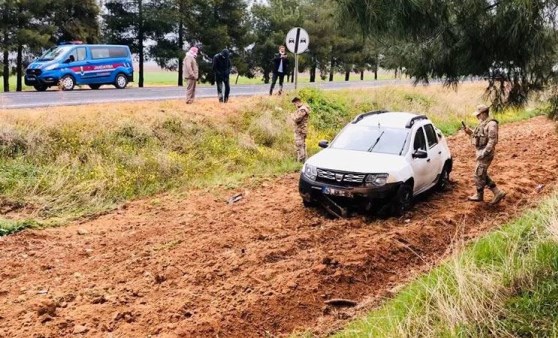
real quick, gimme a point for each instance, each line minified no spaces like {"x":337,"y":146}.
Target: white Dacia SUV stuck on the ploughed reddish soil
{"x":381,"y":159}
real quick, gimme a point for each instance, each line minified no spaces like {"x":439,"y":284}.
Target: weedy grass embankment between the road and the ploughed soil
{"x":57,"y":164}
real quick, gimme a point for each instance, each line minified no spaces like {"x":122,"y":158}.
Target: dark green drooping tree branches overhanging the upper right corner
{"x":510,"y":43}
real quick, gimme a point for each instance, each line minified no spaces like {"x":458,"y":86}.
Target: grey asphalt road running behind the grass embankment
{"x":110,"y":94}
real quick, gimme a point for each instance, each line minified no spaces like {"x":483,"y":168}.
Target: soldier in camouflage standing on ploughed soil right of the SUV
{"x":484,"y":138}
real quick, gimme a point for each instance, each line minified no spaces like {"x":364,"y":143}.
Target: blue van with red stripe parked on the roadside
{"x":74,"y":64}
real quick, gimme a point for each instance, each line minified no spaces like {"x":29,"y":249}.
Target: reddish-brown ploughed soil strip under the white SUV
{"x":199,"y":266}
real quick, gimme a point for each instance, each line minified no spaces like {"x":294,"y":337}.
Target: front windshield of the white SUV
{"x":372,"y":139}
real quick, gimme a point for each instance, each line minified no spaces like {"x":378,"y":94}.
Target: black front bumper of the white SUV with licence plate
{"x":312,"y":191}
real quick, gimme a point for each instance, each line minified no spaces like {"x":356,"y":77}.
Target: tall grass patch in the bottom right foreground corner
{"x":502,"y":285}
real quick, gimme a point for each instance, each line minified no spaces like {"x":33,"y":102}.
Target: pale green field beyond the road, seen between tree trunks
{"x":156,"y":78}
